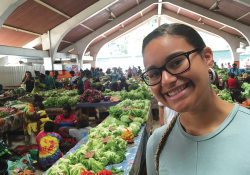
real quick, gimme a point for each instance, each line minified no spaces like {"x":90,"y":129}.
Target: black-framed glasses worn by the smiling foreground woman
{"x":174,"y":66}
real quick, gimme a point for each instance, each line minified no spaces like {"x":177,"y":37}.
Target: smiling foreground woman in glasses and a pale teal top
{"x":209,"y":135}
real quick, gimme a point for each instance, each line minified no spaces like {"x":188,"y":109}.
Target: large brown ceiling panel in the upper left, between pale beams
{"x":34,"y":17}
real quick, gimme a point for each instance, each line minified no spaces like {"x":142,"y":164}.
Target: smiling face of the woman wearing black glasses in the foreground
{"x":184,"y":91}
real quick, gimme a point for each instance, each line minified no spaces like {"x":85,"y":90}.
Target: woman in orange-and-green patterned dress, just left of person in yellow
{"x":28,"y":118}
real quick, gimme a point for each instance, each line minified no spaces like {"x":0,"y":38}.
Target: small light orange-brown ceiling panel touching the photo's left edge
{"x":14,"y":38}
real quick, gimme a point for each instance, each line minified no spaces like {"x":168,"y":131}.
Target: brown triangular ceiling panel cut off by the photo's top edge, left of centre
{"x":70,"y":7}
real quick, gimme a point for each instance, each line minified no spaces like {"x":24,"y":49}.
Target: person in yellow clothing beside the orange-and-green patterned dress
{"x":42,"y":117}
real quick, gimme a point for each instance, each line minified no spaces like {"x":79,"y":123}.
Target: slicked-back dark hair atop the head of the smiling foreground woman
{"x":185,"y":31}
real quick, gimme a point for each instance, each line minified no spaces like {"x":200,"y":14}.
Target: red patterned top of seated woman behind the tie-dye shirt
{"x":65,"y":122}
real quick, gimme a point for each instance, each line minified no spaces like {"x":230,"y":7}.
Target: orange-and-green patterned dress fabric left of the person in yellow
{"x":29,"y":109}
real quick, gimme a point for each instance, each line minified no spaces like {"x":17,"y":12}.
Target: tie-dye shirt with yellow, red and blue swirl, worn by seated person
{"x":48,"y":147}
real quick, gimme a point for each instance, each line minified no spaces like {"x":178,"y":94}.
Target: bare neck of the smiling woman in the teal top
{"x":207,"y":116}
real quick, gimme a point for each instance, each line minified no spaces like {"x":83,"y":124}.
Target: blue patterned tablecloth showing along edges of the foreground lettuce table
{"x":136,"y":152}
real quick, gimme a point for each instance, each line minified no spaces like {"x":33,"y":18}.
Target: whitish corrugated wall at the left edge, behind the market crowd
{"x":13,"y":75}
